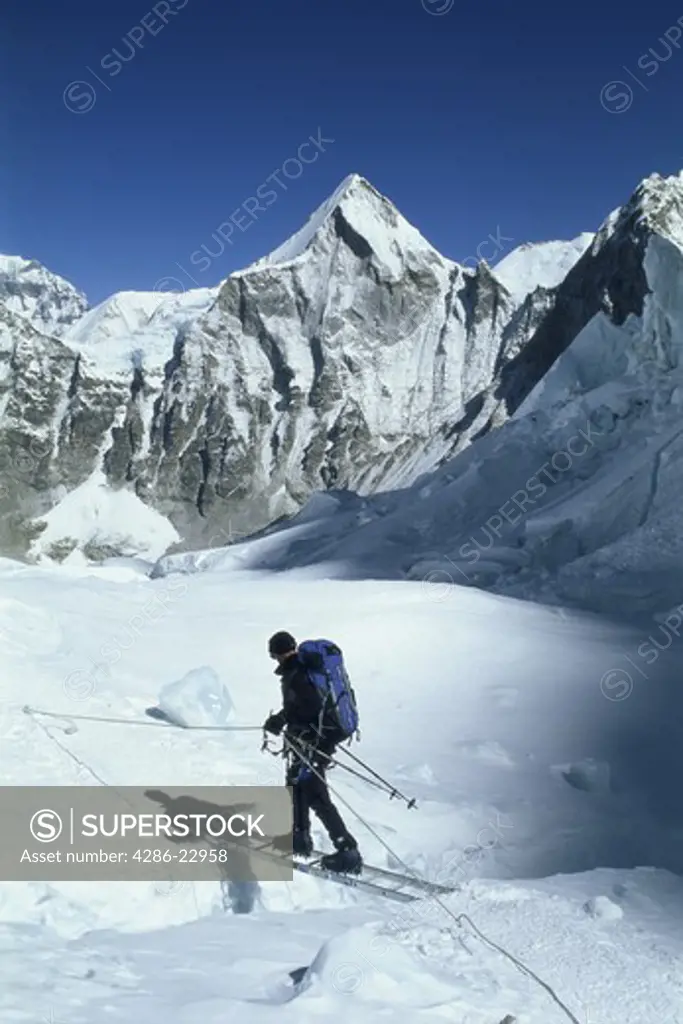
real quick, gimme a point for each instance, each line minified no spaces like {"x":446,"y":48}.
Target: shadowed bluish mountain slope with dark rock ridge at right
{"x":577,"y":498}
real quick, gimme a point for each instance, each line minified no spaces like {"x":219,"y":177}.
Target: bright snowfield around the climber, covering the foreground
{"x":494,"y":714}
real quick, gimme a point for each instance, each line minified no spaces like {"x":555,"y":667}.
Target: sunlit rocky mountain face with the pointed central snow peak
{"x":354,"y":357}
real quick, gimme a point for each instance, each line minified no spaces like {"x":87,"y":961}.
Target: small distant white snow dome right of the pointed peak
{"x":540,"y":265}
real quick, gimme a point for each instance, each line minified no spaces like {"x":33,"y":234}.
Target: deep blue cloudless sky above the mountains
{"x":482,"y":119}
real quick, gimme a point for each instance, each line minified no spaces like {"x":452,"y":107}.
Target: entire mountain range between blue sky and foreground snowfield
{"x":524,"y":440}
